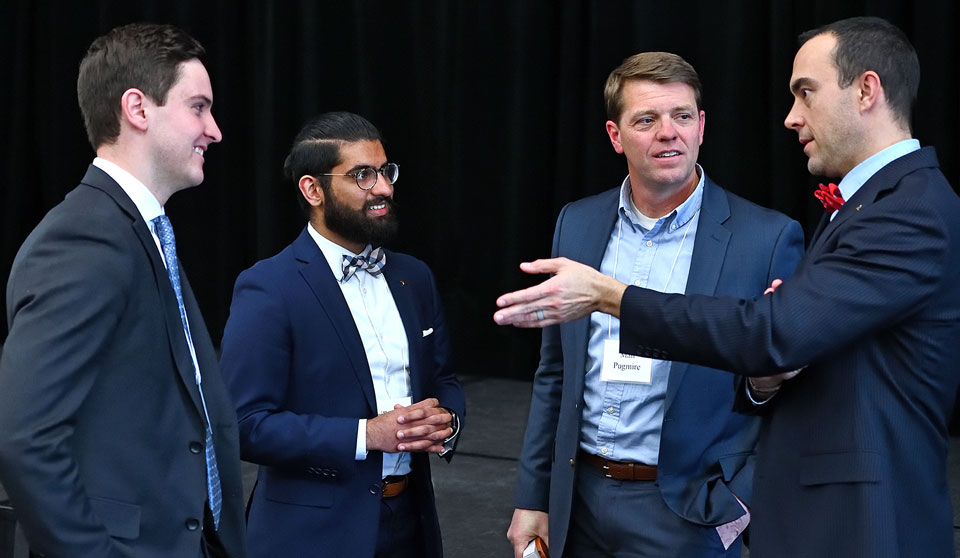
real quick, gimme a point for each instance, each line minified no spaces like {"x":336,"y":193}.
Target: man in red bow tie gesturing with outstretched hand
{"x":852,"y":456}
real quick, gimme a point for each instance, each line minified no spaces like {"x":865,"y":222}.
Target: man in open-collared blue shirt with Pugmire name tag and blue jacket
{"x":640,"y":457}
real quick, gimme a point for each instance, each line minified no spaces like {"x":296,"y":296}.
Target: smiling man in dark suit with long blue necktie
{"x":116,"y":432}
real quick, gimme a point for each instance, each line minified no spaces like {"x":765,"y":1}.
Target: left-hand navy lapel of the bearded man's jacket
{"x":316,"y":272}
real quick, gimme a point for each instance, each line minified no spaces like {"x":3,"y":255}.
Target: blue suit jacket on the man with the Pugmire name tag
{"x":706,"y":451}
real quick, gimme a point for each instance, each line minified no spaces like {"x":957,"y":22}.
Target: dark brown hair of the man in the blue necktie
{"x":141,"y":55}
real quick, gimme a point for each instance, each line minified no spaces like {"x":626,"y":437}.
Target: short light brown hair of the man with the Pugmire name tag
{"x":661,"y":67}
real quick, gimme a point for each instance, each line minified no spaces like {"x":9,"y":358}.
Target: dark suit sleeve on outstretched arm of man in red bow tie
{"x":888,"y":261}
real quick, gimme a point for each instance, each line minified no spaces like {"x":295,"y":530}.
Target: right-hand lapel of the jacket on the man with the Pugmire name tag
{"x":709,"y":250}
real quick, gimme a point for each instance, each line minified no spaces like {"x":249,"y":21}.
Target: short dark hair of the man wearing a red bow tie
{"x":872,"y":43}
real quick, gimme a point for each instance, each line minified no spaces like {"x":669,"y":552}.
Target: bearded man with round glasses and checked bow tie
{"x":336,"y":355}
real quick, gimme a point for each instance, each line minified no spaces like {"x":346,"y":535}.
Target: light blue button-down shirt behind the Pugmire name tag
{"x":622,"y":420}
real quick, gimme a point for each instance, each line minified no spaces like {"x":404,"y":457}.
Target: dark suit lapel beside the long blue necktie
{"x":96,"y":178}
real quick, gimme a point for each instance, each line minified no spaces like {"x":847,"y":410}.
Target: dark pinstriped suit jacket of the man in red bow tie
{"x":852,"y":456}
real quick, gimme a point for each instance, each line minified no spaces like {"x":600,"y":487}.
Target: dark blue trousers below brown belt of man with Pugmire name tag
{"x":628,"y":519}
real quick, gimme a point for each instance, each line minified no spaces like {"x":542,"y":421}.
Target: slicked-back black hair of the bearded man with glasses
{"x":316,"y":149}
